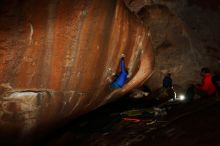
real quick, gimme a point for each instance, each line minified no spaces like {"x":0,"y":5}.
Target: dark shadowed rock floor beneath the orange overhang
{"x":185,"y":124}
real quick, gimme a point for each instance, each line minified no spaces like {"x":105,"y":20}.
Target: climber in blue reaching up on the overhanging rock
{"x":121,"y":78}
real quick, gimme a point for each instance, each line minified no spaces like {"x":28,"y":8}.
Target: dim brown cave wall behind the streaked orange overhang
{"x":185,"y":37}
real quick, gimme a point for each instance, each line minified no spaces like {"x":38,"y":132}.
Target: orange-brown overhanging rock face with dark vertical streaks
{"x":56,"y":57}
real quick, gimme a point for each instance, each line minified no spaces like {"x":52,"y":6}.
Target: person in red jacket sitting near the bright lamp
{"x":206,"y":88}
